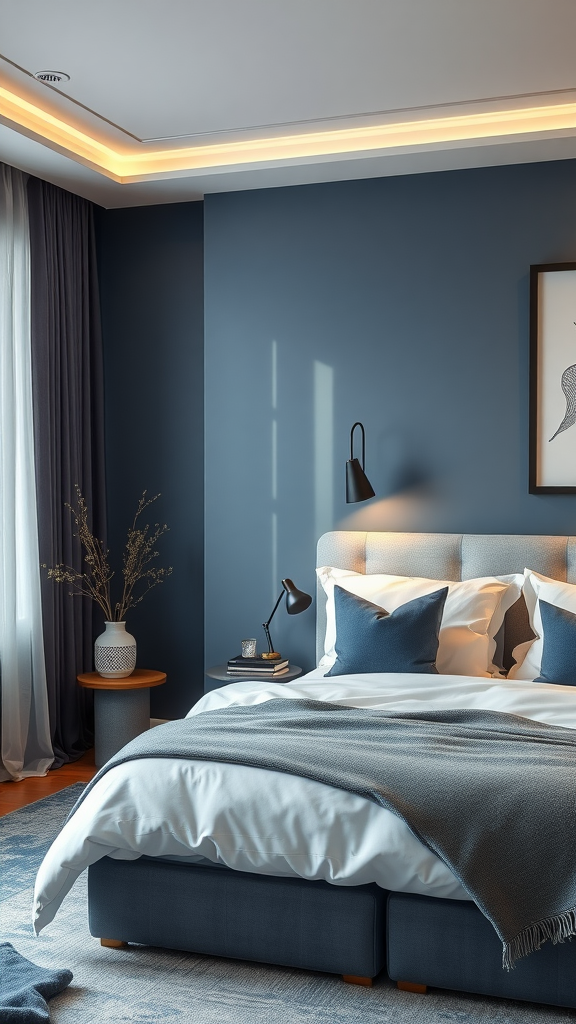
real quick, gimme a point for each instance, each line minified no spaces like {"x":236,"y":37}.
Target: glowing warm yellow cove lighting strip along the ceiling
{"x":130,"y":165}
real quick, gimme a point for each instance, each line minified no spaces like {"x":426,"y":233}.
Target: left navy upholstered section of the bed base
{"x":290,"y":922}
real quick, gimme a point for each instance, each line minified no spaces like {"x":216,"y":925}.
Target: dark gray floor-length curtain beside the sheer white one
{"x":67,"y":374}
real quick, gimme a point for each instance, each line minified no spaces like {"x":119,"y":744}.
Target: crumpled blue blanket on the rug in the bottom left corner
{"x":25,"y":989}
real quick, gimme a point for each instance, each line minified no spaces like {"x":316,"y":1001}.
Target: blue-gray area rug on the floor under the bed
{"x":142,"y":986}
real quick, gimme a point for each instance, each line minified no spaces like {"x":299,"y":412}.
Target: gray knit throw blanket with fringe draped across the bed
{"x":492,"y":795}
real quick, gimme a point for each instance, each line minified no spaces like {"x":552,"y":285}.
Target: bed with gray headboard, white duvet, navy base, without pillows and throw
{"x":274,"y":877}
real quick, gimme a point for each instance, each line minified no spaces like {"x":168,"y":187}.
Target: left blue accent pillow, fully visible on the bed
{"x":368,"y":639}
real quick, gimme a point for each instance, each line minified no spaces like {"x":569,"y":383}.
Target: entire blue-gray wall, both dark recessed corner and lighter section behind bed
{"x":402,"y":303}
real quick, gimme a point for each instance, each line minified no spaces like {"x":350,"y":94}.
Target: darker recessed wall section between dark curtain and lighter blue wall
{"x":152,"y":302}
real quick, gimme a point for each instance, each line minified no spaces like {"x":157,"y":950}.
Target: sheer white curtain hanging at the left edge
{"x":25,"y":744}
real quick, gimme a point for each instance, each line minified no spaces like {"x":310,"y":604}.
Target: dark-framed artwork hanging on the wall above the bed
{"x":553,"y":379}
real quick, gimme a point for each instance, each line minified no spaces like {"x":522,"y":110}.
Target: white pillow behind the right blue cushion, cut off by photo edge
{"x":529,"y":656}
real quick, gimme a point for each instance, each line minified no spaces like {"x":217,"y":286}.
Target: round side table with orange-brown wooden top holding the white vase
{"x":121,"y":709}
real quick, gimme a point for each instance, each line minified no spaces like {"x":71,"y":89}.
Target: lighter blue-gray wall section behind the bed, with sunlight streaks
{"x":402,"y":303}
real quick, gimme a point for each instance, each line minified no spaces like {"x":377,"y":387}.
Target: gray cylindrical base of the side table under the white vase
{"x":119,"y":717}
